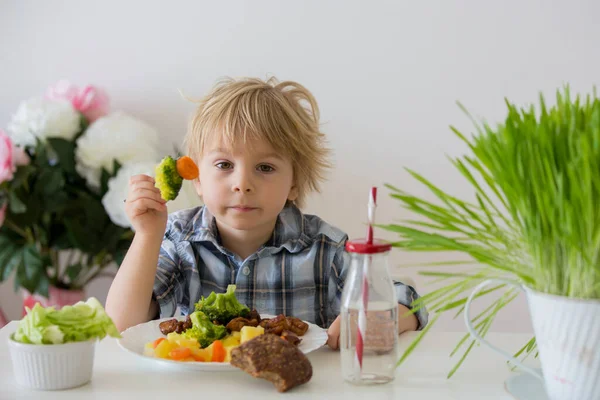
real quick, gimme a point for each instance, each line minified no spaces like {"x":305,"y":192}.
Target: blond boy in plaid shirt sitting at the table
{"x":260,"y":152}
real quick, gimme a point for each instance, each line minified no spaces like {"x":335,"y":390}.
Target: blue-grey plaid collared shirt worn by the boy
{"x":299,"y":272}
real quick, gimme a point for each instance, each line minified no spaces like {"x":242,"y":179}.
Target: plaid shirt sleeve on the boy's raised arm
{"x":168,"y":282}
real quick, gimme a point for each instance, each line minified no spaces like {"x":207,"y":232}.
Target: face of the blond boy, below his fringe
{"x":247,"y":186}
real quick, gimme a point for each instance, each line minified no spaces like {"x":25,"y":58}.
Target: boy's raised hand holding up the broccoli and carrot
{"x":146,"y":210}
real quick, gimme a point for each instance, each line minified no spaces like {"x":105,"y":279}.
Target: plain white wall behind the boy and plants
{"x":386,"y":75}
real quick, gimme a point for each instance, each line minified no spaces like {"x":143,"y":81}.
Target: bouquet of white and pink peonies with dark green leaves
{"x":65,"y":161}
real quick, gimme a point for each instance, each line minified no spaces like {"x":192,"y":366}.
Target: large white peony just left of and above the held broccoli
{"x":117,"y":136}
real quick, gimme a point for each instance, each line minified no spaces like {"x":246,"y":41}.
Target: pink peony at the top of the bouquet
{"x":90,"y":101}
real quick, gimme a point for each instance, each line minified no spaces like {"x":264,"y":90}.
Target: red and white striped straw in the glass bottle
{"x":362,"y":309}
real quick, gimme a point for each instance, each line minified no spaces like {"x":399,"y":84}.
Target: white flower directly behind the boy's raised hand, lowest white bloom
{"x":118,"y":188}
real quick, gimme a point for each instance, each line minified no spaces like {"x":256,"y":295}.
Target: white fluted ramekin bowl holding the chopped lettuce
{"x":52,"y":366}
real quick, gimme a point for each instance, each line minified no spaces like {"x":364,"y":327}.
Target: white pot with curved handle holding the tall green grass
{"x":567,"y":332}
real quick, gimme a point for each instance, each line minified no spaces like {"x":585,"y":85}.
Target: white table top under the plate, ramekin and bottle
{"x":121,"y":375}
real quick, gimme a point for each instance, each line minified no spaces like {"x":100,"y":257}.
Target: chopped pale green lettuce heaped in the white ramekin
{"x":77,"y":323}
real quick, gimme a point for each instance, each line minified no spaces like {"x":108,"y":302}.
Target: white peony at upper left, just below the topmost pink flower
{"x":43,"y":118}
